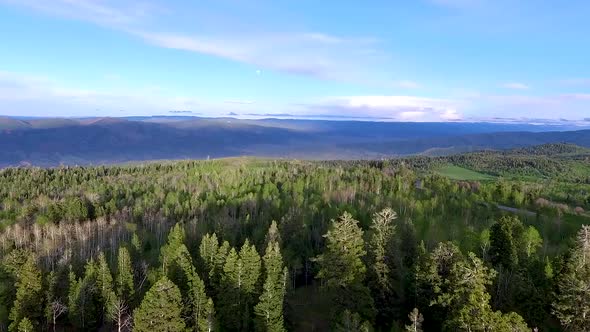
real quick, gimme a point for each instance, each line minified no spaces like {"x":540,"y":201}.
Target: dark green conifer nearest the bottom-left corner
{"x":29,"y":297}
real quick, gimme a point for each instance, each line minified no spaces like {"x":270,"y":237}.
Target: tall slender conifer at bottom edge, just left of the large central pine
{"x":270,"y":308}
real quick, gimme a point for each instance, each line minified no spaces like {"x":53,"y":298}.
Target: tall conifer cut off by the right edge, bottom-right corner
{"x":572,"y":305}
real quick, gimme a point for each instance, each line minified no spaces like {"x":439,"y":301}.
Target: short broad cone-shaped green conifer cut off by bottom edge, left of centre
{"x":160,"y":309}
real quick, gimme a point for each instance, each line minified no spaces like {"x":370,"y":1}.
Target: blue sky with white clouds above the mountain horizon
{"x":390,"y":60}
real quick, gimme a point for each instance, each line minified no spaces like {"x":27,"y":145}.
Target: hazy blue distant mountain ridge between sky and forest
{"x":89,"y":141}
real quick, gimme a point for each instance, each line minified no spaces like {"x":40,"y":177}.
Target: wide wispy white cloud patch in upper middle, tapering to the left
{"x":317,"y":55}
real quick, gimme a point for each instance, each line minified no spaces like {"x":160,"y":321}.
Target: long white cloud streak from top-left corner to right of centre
{"x":307,"y":53}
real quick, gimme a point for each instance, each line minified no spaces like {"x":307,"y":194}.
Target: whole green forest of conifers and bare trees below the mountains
{"x":485,"y":241}
